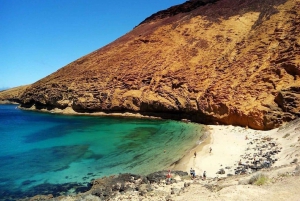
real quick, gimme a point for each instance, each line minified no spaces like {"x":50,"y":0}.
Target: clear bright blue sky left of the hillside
{"x":37,"y":37}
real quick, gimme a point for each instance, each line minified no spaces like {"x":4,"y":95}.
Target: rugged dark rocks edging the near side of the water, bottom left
{"x":112,"y":187}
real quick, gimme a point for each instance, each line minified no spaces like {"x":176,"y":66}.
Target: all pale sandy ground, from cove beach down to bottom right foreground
{"x":229,"y":145}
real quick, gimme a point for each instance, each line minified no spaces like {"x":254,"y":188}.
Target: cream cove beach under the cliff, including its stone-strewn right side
{"x":230,"y":144}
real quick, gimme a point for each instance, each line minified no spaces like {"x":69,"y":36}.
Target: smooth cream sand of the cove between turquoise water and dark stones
{"x":228,"y":143}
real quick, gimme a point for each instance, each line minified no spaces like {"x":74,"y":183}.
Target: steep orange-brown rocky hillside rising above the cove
{"x":211,"y":61}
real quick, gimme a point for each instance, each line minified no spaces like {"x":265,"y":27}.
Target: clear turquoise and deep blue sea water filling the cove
{"x":41,"y":148}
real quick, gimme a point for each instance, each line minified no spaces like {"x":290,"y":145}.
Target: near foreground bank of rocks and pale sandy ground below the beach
{"x":281,"y":184}
